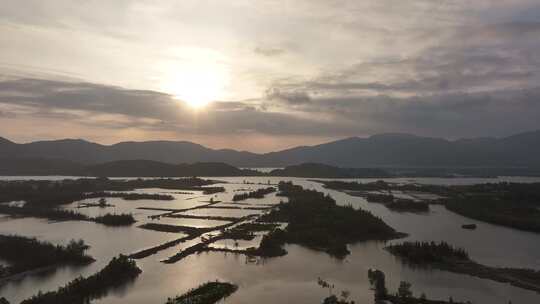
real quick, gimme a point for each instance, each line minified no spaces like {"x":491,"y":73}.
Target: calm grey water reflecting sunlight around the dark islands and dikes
{"x":288,"y":279}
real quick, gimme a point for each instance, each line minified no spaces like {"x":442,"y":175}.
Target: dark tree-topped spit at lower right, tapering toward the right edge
{"x":446,"y":257}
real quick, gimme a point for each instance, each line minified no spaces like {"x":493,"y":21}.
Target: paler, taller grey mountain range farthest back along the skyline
{"x":383,"y":150}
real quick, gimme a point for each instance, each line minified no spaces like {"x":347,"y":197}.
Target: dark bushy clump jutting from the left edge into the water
{"x":25,"y":254}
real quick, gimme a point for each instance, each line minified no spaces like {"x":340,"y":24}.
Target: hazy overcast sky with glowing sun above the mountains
{"x":265,"y":75}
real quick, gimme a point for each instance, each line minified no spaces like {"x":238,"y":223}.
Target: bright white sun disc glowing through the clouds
{"x":196,"y":85}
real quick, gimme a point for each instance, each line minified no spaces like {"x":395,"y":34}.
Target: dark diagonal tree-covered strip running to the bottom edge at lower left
{"x":120,"y":270}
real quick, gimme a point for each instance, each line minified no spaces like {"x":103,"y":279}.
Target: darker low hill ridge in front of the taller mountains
{"x":149,"y":168}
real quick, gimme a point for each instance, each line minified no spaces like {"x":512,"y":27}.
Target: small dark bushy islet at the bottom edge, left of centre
{"x":208,"y":293}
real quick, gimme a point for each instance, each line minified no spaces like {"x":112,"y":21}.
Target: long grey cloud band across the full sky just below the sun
{"x":452,"y":115}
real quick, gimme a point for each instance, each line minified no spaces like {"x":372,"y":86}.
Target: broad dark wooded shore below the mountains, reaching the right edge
{"x":514,"y":205}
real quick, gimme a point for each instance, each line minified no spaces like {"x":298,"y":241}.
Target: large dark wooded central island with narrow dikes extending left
{"x":313,"y":219}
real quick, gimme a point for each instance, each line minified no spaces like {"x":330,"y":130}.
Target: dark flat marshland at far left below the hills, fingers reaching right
{"x":45,"y":198}
